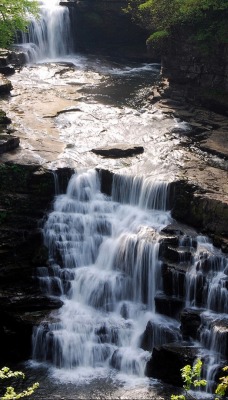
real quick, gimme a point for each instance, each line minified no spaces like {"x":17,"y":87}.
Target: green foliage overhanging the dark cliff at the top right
{"x":162,"y":17}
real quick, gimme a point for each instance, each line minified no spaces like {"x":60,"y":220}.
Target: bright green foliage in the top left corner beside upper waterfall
{"x":14,"y":16}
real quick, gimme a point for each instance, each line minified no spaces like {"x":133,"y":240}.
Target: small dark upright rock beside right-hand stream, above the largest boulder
{"x":190,"y":323}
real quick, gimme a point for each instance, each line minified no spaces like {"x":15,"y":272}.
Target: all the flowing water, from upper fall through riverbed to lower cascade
{"x":104,"y":251}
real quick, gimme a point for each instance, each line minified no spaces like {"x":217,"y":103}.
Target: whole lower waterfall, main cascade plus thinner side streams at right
{"x":108,"y":263}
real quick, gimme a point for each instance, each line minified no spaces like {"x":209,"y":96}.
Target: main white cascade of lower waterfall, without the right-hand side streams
{"x":108,"y":277}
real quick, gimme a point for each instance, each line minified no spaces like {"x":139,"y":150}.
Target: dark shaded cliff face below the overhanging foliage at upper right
{"x":202,"y":70}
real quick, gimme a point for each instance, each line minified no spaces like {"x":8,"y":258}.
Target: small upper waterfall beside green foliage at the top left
{"x":48,"y":36}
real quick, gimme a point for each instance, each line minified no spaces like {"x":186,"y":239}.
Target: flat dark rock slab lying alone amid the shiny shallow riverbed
{"x":118,"y":150}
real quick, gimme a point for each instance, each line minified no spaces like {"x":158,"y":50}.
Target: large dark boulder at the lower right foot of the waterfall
{"x":166,"y":362}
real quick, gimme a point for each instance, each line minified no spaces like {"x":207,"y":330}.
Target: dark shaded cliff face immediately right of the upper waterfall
{"x":101,"y":26}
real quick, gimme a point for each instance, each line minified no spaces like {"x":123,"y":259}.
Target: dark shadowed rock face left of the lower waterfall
{"x":26,"y":193}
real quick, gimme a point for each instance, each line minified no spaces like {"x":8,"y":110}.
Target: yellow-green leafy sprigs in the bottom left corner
{"x":10,"y":394}
